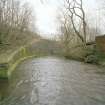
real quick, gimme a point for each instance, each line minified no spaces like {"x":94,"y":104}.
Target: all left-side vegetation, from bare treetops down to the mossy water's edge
{"x":16,"y":25}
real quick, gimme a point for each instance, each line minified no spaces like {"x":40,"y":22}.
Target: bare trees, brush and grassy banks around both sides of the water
{"x":18,"y":40}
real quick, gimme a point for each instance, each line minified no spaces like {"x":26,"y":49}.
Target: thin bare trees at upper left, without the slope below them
{"x":14,"y":17}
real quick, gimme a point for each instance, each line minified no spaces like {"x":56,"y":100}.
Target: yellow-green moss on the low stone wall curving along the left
{"x":14,"y":59}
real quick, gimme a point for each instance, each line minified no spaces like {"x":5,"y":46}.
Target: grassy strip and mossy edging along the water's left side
{"x":10,"y":59}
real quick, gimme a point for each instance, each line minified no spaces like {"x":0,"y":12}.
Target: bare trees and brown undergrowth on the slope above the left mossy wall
{"x":15,"y":24}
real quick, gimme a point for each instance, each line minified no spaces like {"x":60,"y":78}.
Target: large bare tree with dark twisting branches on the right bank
{"x":75,"y":11}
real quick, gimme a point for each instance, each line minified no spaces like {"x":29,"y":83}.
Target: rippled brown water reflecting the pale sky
{"x":54,"y":81}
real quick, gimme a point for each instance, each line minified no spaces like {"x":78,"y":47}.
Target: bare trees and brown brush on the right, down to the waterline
{"x":77,"y":36}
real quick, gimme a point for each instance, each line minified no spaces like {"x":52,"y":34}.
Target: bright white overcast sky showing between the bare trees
{"x":47,"y":12}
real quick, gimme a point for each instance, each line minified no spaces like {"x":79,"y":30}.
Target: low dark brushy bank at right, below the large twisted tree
{"x":90,"y":55}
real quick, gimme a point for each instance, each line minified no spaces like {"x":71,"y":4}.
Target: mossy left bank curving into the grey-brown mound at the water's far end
{"x":10,"y":58}
